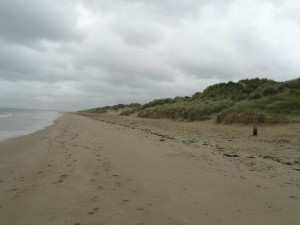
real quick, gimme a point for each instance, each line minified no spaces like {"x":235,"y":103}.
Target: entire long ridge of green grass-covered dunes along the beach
{"x":229,"y":102}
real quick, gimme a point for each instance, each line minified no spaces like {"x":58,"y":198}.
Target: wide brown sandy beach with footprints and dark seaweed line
{"x":128,"y":171}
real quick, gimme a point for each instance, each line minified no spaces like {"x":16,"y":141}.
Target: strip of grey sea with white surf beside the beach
{"x":18,"y":122}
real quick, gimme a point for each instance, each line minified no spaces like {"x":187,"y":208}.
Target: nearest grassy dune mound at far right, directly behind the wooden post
{"x":272,"y":103}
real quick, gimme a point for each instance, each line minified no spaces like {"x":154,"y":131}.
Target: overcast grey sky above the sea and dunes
{"x":77,"y":54}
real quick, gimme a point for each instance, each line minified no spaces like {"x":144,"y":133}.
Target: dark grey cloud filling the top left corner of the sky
{"x":33,"y":20}
